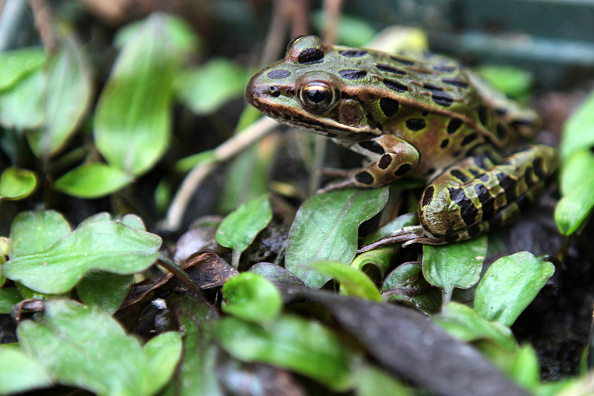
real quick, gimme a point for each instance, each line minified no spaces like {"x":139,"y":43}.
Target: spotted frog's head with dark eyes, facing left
{"x":313,"y":88}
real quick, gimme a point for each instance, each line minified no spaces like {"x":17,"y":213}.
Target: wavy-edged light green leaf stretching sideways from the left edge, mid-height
{"x":107,"y":246}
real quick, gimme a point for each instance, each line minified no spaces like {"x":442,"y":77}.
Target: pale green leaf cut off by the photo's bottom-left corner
{"x":20,"y":373}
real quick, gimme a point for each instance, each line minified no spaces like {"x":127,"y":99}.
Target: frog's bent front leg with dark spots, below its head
{"x":391,"y":158}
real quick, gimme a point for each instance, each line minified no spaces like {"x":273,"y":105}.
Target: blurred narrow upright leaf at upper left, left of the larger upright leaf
{"x":68,"y":97}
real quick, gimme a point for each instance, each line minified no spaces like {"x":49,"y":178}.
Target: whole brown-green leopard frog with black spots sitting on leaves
{"x":424,"y":118}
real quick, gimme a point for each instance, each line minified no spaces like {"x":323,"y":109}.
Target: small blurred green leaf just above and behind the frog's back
{"x":512,"y":81}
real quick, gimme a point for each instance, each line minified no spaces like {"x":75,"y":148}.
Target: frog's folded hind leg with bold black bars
{"x":473,"y":196}
